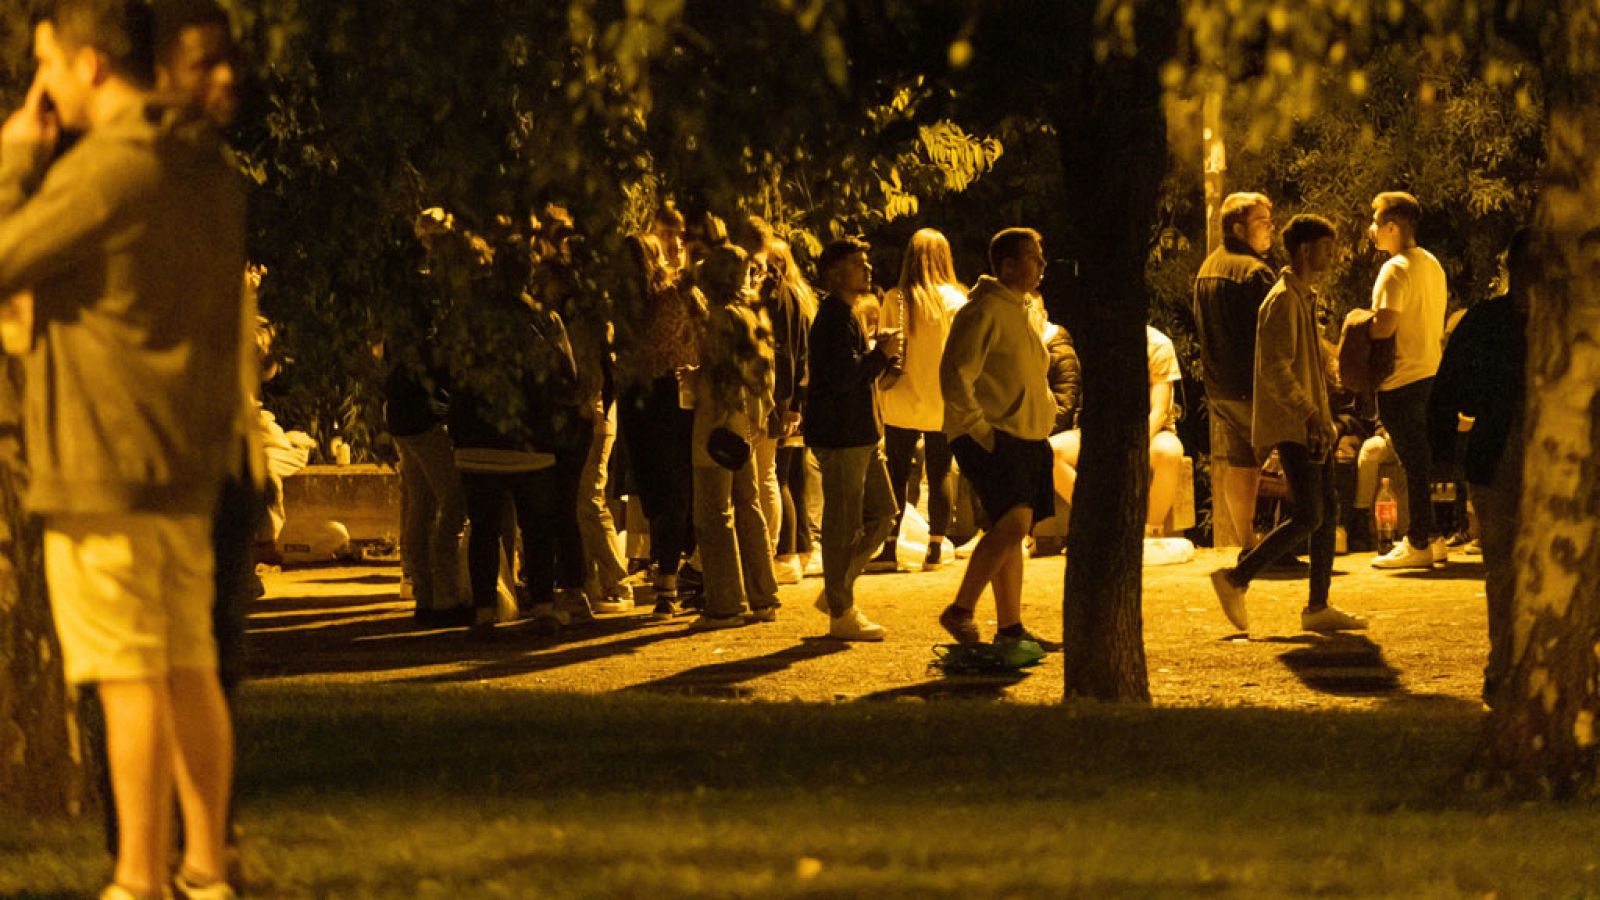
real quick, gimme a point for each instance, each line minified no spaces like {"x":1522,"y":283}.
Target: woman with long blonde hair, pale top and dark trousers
{"x":922,"y":305}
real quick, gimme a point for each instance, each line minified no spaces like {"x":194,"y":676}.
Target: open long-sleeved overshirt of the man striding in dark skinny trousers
{"x":1292,"y":382}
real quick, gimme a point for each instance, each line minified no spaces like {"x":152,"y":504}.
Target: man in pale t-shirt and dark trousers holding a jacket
{"x":1409,"y":299}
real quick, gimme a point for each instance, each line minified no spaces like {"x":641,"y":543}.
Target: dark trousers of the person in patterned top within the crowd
{"x":660,"y":441}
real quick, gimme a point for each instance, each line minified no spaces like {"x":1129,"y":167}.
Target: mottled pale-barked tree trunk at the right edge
{"x":1543,"y":739}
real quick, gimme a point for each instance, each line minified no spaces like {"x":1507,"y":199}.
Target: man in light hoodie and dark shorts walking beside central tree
{"x":999,"y":414}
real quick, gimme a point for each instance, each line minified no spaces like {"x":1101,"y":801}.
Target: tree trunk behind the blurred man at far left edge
{"x":41,"y":768}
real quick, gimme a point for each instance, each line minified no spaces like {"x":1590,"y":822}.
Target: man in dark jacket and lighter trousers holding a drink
{"x":844,"y":430}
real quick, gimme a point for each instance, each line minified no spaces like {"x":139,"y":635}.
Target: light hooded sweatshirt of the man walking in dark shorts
{"x":994,"y":369}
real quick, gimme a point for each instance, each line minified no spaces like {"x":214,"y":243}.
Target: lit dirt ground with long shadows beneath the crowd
{"x":1426,"y":645}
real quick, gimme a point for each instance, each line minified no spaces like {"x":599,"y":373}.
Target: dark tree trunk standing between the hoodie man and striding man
{"x":1114,"y":151}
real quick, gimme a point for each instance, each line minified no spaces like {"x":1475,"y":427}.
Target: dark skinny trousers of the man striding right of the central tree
{"x":1314,"y":513}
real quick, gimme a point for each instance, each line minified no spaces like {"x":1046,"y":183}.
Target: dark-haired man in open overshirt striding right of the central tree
{"x":1292,"y":416}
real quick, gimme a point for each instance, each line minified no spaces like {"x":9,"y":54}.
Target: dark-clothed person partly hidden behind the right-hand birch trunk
{"x":1481,"y":387}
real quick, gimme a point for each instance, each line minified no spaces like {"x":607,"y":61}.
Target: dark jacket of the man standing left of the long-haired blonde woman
{"x":842,"y":408}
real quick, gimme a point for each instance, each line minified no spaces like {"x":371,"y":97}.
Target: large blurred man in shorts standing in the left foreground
{"x":134,"y":247}
